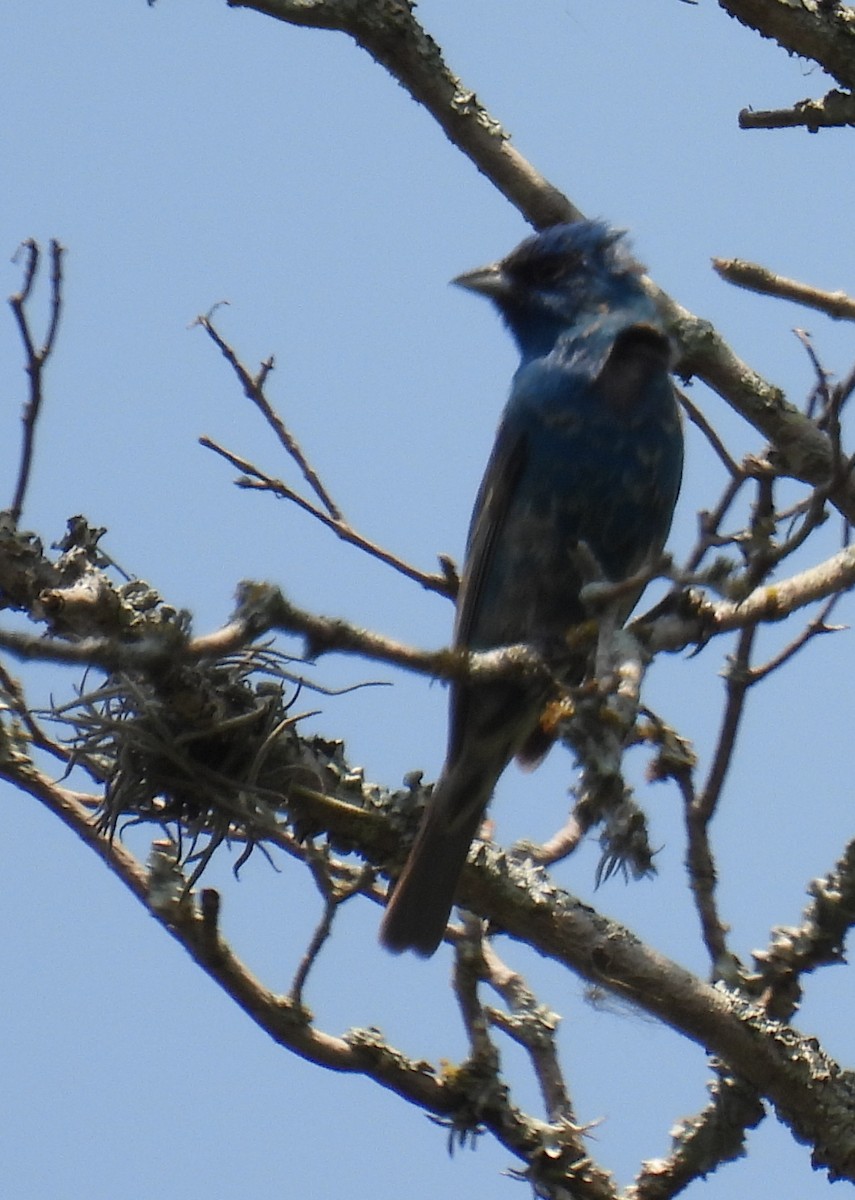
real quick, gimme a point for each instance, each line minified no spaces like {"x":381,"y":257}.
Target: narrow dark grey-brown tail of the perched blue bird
{"x":418,"y":913}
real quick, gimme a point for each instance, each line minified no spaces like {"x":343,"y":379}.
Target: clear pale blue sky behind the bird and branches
{"x":188,"y":154}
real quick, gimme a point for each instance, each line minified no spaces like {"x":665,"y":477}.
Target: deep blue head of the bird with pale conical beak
{"x":563,"y":275}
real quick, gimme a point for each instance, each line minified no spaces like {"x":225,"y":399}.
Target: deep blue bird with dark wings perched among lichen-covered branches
{"x":589,"y":452}
